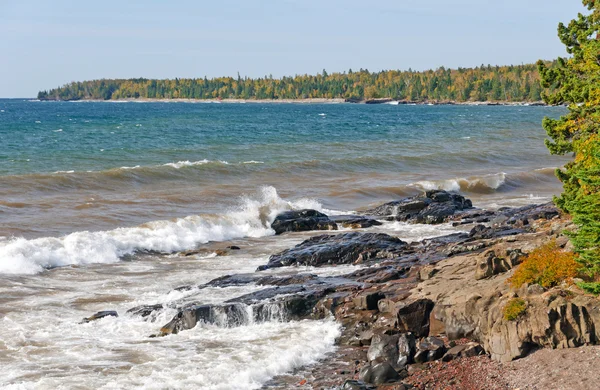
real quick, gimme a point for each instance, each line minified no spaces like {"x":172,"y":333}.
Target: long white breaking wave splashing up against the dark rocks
{"x":252,"y":218}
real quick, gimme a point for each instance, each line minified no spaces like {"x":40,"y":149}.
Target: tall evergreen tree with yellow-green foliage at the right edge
{"x":576,"y":81}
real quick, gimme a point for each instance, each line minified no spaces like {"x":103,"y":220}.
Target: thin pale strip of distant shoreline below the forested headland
{"x":311,"y":101}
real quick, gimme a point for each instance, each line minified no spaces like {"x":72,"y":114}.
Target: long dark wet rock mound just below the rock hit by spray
{"x":347,"y":248}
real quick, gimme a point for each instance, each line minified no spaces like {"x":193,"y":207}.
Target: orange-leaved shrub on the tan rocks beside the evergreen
{"x":547,"y":266}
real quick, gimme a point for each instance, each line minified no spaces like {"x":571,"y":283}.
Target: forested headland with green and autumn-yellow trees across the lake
{"x":514,"y":83}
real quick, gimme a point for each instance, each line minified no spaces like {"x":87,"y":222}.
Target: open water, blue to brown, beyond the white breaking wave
{"x":67,"y":166}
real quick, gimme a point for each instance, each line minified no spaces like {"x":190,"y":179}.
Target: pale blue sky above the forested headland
{"x":45,"y":44}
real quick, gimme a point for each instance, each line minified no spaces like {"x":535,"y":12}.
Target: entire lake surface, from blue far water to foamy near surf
{"x":92,"y":193}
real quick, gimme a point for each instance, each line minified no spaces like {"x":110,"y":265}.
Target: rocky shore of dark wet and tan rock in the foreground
{"x":425,"y":315}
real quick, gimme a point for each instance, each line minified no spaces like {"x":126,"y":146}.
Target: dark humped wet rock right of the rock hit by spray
{"x":431,"y":208}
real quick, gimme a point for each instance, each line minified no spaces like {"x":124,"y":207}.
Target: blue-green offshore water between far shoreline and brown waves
{"x":60,"y":136}
